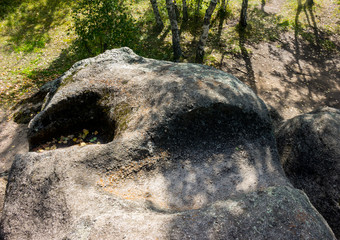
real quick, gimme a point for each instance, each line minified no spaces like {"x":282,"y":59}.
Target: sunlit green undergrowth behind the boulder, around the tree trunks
{"x":41,"y":39}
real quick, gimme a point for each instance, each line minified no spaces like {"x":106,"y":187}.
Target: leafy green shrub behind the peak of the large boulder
{"x":102,"y":25}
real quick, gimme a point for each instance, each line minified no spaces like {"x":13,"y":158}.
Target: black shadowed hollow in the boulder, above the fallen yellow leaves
{"x":71,"y":116}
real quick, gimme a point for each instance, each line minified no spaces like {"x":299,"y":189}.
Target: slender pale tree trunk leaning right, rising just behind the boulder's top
{"x":205,"y":32}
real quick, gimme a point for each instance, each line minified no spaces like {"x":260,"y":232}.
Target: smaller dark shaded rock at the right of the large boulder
{"x":309,"y":146}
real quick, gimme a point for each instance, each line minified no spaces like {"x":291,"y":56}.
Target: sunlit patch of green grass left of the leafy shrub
{"x":32,"y":37}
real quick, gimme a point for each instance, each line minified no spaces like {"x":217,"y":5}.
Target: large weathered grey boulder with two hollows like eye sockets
{"x":190,"y":154}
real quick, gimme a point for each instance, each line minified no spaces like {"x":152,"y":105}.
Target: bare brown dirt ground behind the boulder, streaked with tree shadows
{"x":291,"y":75}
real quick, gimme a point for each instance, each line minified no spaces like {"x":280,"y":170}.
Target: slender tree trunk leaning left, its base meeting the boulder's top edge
{"x":174,"y":29}
